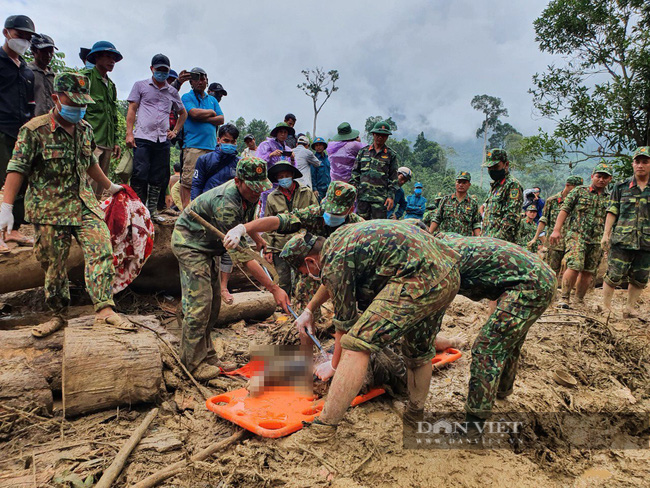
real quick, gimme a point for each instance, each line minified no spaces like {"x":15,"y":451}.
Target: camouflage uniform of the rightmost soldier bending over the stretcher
{"x":523,"y":286}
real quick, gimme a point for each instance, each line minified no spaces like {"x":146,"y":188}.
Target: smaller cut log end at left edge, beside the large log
{"x":23,"y":387}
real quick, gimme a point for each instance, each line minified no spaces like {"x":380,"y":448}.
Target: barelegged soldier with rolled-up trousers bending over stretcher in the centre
{"x":402,"y":279}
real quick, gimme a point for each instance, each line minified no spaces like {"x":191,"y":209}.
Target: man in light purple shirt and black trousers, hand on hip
{"x":152,"y":100}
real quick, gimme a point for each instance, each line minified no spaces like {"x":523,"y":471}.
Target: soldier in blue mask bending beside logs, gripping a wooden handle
{"x":226,"y":207}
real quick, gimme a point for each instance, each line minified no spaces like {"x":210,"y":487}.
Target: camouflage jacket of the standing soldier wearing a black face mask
{"x":503,"y":209}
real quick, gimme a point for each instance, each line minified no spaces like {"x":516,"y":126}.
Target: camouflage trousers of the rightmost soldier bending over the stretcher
{"x":496,"y":350}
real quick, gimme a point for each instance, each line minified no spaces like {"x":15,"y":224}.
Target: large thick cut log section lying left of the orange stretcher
{"x":104,"y":367}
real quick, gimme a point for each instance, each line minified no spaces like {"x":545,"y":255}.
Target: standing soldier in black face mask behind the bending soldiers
{"x":502,"y":208}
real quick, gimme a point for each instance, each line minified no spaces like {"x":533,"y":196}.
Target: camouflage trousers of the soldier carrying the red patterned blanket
{"x":52,"y":247}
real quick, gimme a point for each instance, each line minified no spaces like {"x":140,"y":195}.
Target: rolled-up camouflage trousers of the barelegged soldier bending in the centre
{"x":395,"y":314}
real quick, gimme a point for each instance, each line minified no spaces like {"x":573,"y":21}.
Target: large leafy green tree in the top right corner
{"x":599,"y":91}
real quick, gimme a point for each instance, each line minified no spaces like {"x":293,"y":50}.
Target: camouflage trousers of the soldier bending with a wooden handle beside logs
{"x":200,"y":302}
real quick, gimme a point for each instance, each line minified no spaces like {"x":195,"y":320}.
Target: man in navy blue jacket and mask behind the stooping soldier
{"x":214,"y":169}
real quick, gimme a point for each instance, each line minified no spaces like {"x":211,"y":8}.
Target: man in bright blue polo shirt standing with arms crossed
{"x":203,"y":117}
